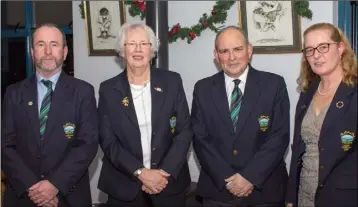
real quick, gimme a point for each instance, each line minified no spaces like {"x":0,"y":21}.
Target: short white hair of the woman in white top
{"x":122,"y":33}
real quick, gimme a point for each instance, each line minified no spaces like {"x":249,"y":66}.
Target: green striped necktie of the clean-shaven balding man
{"x":236,"y":98}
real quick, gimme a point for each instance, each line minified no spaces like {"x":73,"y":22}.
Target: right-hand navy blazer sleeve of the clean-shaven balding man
{"x":274,"y":147}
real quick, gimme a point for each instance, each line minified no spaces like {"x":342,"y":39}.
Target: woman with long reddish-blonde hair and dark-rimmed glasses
{"x":324,"y":158}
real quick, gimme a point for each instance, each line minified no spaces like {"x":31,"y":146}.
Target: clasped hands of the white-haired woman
{"x":154,"y":181}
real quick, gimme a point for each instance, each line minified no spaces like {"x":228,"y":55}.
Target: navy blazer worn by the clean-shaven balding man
{"x":256,"y":150}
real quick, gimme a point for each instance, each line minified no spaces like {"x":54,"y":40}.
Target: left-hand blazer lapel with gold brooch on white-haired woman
{"x":125,"y":101}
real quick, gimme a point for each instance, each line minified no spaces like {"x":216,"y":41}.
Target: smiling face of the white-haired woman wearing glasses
{"x":137,"y":50}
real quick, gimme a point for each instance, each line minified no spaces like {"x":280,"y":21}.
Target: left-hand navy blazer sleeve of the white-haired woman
{"x":120,"y":158}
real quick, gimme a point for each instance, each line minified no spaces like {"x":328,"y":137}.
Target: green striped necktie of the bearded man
{"x":45,"y":106}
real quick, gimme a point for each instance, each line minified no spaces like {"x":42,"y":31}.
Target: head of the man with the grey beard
{"x":48,"y":51}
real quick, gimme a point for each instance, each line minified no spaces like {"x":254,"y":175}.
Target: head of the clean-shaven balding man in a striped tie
{"x":232,"y":52}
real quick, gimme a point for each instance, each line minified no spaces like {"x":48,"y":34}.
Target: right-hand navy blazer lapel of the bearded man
{"x":60,"y":96}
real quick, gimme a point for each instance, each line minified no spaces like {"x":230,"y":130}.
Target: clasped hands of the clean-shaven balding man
{"x":238,"y":185}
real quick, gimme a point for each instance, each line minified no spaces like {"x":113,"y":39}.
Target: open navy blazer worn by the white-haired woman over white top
{"x":121,"y":141}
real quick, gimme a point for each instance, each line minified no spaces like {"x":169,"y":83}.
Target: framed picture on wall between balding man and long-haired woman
{"x":271,"y":26}
